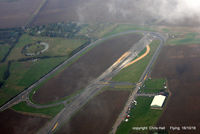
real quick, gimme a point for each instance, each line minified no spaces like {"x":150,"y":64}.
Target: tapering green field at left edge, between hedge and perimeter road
{"x":23,"y":74}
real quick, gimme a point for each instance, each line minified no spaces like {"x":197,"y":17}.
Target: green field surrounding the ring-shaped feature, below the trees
{"x":57,"y":46}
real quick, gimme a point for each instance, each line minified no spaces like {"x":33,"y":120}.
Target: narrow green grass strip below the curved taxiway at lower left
{"x":51,"y":111}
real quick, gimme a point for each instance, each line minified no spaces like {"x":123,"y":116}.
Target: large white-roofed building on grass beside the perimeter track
{"x":158,"y":101}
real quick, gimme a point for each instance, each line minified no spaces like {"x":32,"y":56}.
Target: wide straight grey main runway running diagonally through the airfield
{"x":94,"y":87}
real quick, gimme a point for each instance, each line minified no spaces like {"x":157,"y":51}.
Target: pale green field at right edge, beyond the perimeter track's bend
{"x":190,"y":38}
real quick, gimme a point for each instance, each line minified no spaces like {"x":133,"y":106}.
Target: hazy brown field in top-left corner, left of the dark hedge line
{"x":17,"y":12}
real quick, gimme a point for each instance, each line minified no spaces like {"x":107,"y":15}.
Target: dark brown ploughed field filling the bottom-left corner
{"x":12,"y":122}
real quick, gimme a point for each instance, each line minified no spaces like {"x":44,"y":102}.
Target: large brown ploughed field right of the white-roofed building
{"x":181,"y":66}
